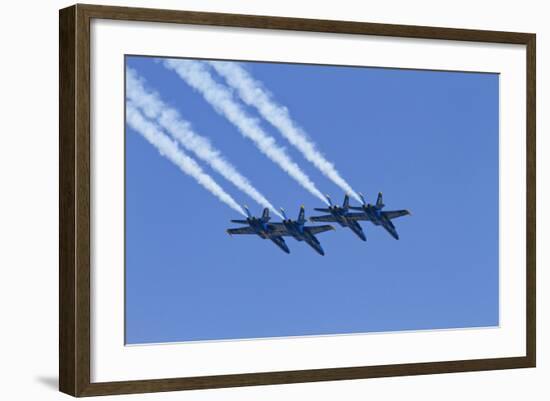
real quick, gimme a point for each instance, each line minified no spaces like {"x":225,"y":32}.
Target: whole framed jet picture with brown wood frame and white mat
{"x":389,"y":173}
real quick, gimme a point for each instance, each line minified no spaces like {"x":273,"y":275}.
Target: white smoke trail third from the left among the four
{"x":220,"y":97}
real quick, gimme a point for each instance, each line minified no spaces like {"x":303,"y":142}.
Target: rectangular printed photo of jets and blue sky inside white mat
{"x":268,"y":200}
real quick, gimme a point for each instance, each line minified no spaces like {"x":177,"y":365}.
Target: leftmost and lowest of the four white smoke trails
{"x":169,"y":149}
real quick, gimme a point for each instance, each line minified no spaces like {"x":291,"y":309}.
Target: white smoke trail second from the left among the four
{"x":168,"y":118}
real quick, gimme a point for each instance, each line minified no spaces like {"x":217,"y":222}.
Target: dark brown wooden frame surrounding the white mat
{"x":74,"y":199}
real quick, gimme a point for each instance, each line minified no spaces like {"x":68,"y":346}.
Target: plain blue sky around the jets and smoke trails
{"x":427,"y":139}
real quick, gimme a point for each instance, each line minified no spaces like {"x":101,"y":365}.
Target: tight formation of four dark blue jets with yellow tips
{"x":345,"y":215}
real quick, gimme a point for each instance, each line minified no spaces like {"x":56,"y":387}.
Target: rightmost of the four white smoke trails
{"x":252,"y":92}
